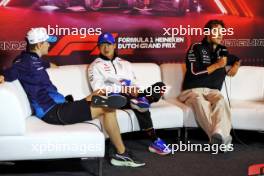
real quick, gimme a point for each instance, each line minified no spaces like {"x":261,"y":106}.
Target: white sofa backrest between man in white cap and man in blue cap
{"x":71,"y":80}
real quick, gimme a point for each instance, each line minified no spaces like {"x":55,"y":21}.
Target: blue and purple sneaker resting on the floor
{"x":159,"y":147}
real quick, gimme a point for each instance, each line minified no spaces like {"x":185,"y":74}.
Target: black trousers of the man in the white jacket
{"x":144,"y":118}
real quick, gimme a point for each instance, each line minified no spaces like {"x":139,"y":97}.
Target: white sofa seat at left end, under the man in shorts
{"x":45,"y":141}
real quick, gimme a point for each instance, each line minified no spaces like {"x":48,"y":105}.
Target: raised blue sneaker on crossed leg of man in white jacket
{"x":141,"y":104}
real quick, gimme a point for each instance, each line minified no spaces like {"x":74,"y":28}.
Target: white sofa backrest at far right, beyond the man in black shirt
{"x":248,"y":84}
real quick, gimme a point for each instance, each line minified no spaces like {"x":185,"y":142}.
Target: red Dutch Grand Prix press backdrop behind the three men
{"x":159,"y":31}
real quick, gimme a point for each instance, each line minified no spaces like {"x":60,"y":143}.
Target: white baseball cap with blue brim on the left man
{"x":37,"y":35}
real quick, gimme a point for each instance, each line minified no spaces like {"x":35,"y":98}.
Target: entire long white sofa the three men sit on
{"x":21,"y":133}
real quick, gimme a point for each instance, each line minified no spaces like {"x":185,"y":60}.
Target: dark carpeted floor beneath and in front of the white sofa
{"x":234,"y":163}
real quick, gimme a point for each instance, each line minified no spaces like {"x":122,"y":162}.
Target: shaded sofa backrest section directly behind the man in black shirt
{"x":173,"y":75}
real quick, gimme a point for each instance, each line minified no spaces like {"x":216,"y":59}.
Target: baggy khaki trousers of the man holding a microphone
{"x":211,"y":110}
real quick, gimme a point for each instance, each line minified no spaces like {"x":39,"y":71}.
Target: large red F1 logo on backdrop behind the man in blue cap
{"x":71,"y":43}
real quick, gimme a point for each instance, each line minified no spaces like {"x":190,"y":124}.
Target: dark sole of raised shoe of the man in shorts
{"x":109,"y":102}
